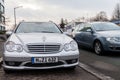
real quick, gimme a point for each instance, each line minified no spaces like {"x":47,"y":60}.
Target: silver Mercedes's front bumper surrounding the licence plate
{"x":21,"y":63}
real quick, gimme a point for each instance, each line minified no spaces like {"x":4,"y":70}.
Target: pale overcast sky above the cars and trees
{"x":45,"y":10}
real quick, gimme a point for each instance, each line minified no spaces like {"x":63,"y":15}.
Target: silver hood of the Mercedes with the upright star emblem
{"x":27,"y":38}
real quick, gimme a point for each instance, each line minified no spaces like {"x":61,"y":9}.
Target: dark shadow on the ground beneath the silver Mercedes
{"x":41,"y":72}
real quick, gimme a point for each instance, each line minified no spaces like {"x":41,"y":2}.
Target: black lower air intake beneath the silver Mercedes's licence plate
{"x":44,"y":64}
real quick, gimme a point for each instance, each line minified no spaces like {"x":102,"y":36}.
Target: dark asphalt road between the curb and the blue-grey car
{"x":108,"y":64}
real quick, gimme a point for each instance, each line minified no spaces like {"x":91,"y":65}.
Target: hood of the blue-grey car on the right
{"x":115,"y":33}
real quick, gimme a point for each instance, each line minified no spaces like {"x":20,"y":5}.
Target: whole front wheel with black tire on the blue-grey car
{"x":98,"y":48}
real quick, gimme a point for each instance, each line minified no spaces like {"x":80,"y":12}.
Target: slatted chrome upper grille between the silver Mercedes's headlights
{"x":43,"y":48}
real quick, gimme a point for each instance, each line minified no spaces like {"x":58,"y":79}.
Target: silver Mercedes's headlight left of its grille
{"x":11,"y":47}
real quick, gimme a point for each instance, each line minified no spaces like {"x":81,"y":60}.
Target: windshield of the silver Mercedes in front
{"x":38,"y":27}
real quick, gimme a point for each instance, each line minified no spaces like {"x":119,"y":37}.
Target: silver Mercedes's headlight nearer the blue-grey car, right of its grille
{"x":71,"y":46}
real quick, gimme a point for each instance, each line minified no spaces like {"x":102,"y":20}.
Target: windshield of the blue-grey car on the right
{"x":105,"y":26}
